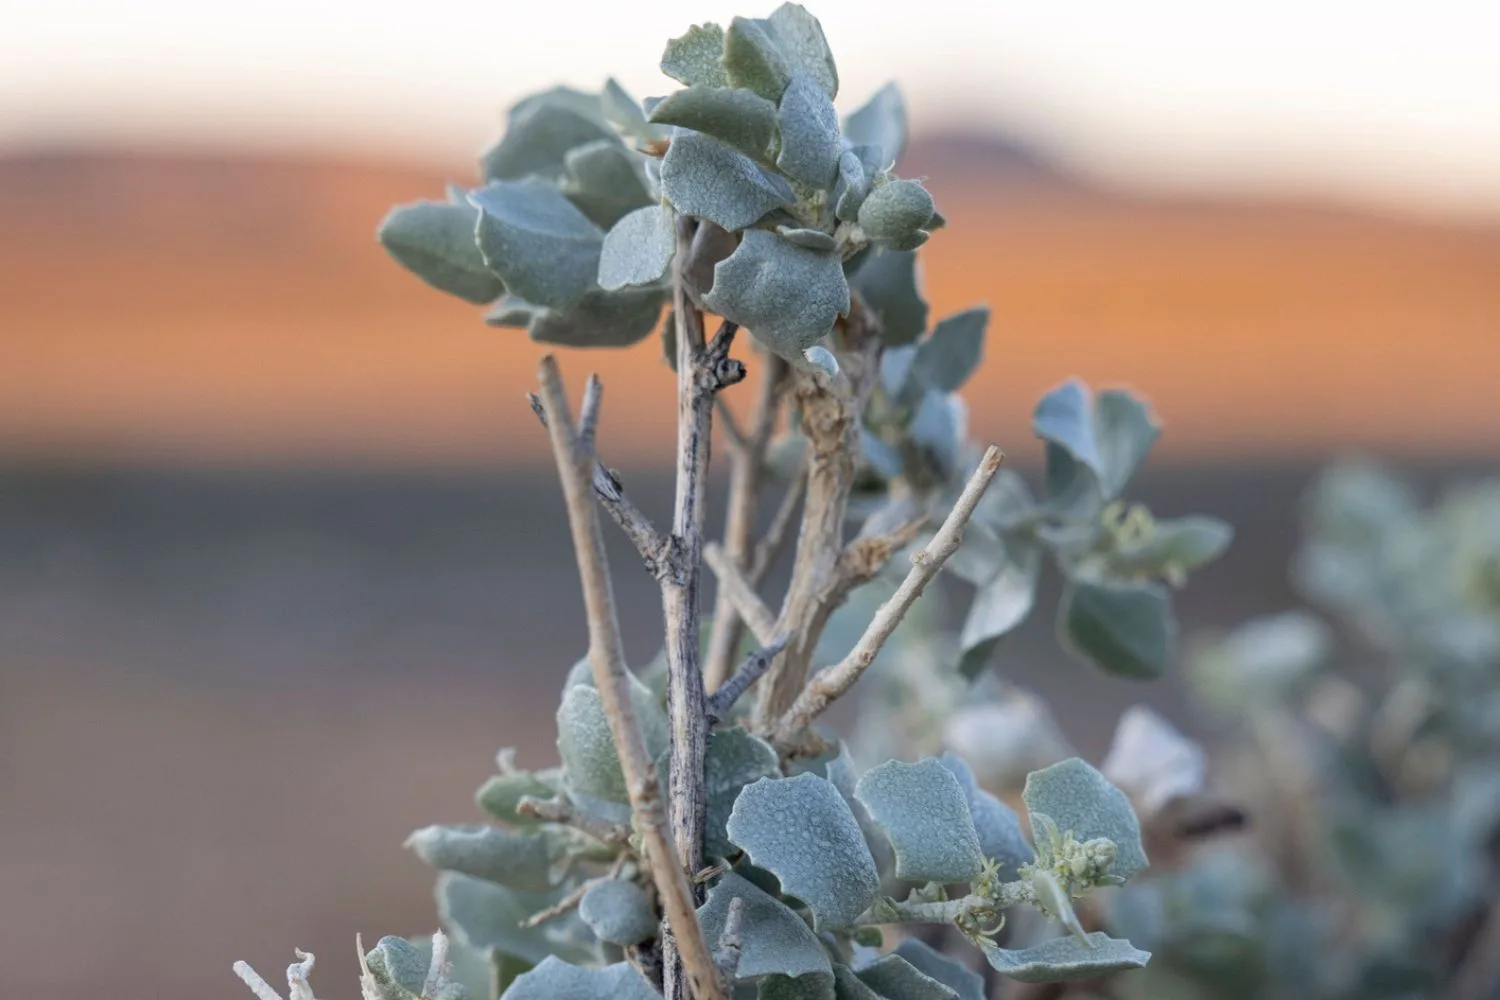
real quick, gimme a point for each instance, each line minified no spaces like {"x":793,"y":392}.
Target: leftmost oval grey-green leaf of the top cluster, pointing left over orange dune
{"x":436,"y":242}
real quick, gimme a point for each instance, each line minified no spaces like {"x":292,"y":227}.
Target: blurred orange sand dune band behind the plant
{"x":176,"y":310}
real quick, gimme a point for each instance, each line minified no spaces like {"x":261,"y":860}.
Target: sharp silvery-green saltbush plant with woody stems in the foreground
{"x":703,"y":833}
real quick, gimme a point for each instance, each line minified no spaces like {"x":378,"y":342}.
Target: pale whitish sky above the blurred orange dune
{"x":1391,"y":104}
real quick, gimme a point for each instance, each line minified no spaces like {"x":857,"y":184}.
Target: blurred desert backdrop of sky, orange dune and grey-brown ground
{"x":281,"y":560}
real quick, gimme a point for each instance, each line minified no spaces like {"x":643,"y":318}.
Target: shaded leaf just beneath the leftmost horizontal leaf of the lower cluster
{"x":484,"y":915}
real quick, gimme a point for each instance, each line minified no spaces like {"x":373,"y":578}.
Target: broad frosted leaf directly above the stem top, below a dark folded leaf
{"x":707,"y":179}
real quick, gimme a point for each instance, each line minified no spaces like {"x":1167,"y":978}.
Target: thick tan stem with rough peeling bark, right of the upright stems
{"x":830,"y":410}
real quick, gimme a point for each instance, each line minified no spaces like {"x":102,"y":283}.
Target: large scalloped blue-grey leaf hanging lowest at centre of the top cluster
{"x":785,"y":295}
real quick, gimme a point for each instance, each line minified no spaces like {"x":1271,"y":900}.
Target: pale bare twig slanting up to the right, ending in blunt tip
{"x":824,"y":689}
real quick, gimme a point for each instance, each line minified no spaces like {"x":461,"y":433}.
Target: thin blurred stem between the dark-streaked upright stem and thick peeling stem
{"x":746,"y":467}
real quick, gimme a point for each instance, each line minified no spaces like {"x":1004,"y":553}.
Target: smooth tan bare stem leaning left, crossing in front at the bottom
{"x":607,"y":659}
